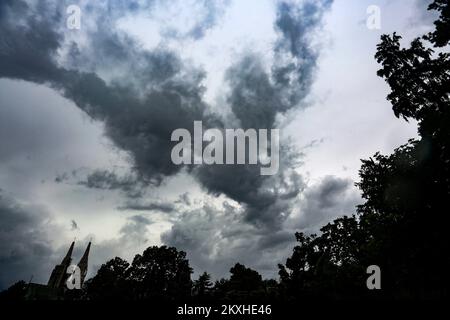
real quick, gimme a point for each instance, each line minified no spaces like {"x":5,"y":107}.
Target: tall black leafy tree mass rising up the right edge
{"x":402,"y":226}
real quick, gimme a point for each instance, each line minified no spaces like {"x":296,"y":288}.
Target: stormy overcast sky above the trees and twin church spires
{"x":86,"y":117}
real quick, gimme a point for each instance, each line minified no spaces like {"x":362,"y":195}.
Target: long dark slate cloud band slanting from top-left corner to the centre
{"x":138,"y":125}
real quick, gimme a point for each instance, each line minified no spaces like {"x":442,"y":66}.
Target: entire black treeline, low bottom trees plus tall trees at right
{"x":403,"y":226}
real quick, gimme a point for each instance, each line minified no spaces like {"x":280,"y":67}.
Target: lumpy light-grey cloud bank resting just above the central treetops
{"x":215,"y":238}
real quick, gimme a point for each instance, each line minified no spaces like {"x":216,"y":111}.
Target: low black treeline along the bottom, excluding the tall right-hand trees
{"x":162,"y":273}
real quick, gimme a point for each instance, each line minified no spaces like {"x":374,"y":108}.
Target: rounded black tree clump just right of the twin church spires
{"x":159,"y":273}
